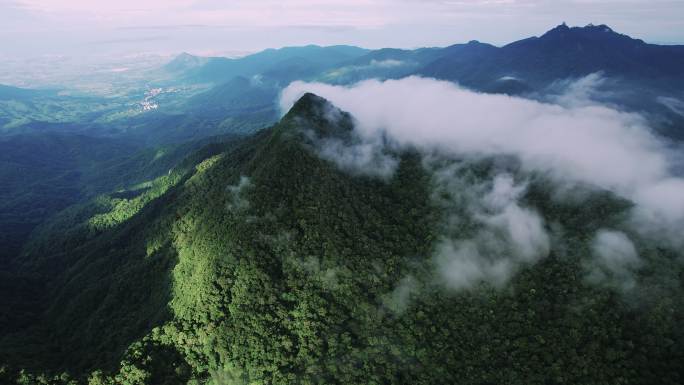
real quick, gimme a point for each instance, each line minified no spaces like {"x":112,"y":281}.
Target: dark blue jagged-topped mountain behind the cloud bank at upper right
{"x":632,"y":74}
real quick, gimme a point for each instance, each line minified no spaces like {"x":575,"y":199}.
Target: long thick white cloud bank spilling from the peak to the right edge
{"x":594,"y":145}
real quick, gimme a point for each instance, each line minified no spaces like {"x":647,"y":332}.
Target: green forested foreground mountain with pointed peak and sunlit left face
{"x":258,"y":262}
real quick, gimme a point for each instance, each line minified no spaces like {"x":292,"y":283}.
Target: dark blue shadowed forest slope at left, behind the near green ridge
{"x":43,"y":174}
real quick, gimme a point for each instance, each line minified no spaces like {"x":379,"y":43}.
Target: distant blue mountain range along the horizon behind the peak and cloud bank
{"x":641,"y":76}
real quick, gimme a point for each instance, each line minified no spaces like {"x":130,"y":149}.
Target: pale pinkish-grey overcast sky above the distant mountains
{"x":40,"y":27}
